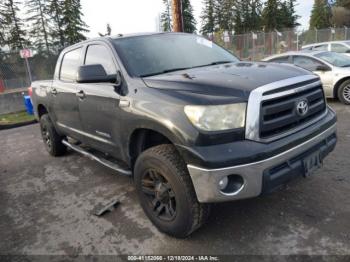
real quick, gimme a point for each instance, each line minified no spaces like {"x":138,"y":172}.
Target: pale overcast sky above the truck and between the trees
{"x":136,"y":16}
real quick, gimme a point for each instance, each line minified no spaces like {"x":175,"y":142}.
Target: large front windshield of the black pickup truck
{"x":157,"y":54}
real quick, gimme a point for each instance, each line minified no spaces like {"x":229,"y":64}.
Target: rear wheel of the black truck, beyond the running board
{"x":52,"y":140}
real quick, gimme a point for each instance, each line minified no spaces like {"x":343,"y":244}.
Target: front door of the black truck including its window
{"x":99,"y":105}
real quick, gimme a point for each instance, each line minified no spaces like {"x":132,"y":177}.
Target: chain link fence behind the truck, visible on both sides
{"x":253,"y":46}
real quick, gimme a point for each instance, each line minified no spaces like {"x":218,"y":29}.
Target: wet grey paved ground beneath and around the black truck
{"x":46,"y":206}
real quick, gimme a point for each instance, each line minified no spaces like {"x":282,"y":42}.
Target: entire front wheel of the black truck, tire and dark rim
{"x":166,"y":192}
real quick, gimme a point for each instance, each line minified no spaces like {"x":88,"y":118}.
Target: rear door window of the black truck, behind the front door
{"x":70,"y":64}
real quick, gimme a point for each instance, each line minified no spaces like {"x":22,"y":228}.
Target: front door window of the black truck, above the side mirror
{"x":99,"y":54}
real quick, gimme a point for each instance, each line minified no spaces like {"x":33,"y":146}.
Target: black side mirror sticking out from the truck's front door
{"x":94,"y":74}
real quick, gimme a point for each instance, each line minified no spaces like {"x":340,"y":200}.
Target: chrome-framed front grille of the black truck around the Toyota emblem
{"x":272,"y":109}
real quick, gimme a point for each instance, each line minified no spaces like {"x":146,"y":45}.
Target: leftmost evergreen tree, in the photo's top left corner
{"x":13,"y":25}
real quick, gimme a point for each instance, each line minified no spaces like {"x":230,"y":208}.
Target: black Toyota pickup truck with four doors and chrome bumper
{"x":186,"y":119}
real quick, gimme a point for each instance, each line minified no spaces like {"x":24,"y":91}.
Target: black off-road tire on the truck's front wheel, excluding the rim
{"x":190,"y":214}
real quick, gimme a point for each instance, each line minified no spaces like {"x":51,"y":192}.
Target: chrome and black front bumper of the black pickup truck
{"x":261,"y":176}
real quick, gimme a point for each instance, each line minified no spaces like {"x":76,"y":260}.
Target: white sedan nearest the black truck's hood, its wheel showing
{"x":333,"y":69}
